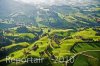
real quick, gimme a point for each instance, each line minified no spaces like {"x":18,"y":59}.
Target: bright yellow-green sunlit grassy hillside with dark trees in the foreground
{"x":58,"y":43}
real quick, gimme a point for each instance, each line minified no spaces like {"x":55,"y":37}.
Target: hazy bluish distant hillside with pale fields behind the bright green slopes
{"x":57,"y":16}
